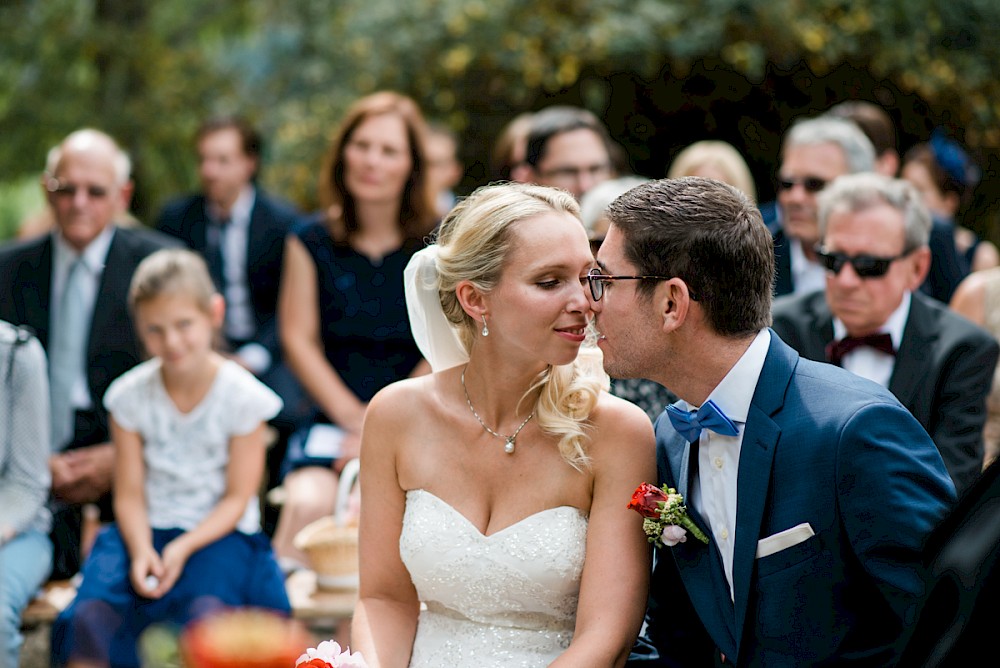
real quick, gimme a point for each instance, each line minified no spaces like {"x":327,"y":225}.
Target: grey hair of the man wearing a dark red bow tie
{"x":854,"y":193}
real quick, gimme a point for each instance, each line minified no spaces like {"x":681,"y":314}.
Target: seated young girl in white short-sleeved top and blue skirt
{"x":189,"y":437}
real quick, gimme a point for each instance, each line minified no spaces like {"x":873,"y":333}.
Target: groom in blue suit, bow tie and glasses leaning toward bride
{"x":816,"y":488}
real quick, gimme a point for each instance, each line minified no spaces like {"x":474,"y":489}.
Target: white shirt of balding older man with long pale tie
{"x":94,"y":257}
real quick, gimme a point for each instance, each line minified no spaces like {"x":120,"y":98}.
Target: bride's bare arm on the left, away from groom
{"x":385,"y":619}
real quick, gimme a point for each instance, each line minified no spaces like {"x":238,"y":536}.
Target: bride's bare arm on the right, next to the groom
{"x":616,"y":571}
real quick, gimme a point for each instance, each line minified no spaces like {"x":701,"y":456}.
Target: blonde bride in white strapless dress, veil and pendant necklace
{"x":494,"y":491}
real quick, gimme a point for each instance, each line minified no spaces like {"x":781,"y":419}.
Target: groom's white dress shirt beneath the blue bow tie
{"x":713,"y":491}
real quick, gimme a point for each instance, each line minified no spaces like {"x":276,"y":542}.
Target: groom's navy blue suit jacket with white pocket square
{"x":824,"y":447}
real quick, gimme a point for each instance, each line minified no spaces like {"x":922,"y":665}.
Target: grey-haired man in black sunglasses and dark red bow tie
{"x":872,"y":319}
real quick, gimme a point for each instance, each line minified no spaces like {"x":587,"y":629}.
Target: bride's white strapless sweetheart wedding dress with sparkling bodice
{"x":507,"y":599}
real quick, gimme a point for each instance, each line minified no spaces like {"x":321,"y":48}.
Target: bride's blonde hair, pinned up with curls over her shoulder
{"x":474,"y":242}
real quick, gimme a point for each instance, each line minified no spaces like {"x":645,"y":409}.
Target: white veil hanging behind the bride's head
{"x":435,"y":336}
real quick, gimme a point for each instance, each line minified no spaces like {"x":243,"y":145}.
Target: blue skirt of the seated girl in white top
{"x":103,"y":623}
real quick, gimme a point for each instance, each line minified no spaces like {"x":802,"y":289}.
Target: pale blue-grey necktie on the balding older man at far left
{"x":67,"y":352}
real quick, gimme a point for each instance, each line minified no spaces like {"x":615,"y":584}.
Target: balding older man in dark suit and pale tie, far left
{"x":71,"y":288}
